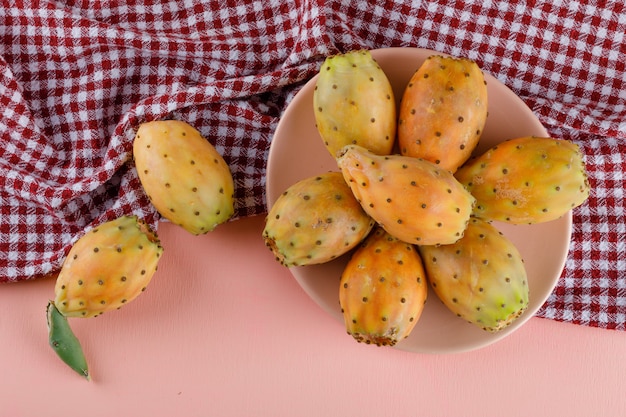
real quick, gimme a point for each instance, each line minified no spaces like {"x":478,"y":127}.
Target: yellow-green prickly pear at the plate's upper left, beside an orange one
{"x":354,"y":103}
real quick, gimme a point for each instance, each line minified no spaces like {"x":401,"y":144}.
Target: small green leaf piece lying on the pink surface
{"x":63,"y":341}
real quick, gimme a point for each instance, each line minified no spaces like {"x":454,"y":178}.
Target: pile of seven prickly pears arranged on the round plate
{"x":415,"y":172}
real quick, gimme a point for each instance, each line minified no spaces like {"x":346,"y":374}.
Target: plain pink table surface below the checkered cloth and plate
{"x":217,"y":336}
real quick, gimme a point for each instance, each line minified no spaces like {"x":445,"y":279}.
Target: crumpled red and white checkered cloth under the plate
{"x":77,"y":77}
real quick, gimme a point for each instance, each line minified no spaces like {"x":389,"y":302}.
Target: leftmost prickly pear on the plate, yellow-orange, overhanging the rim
{"x":315,"y":220}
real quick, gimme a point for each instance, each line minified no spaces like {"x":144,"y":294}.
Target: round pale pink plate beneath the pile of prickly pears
{"x":297,"y":152}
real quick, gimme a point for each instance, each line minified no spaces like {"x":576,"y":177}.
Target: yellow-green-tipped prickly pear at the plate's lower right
{"x":481,"y":278}
